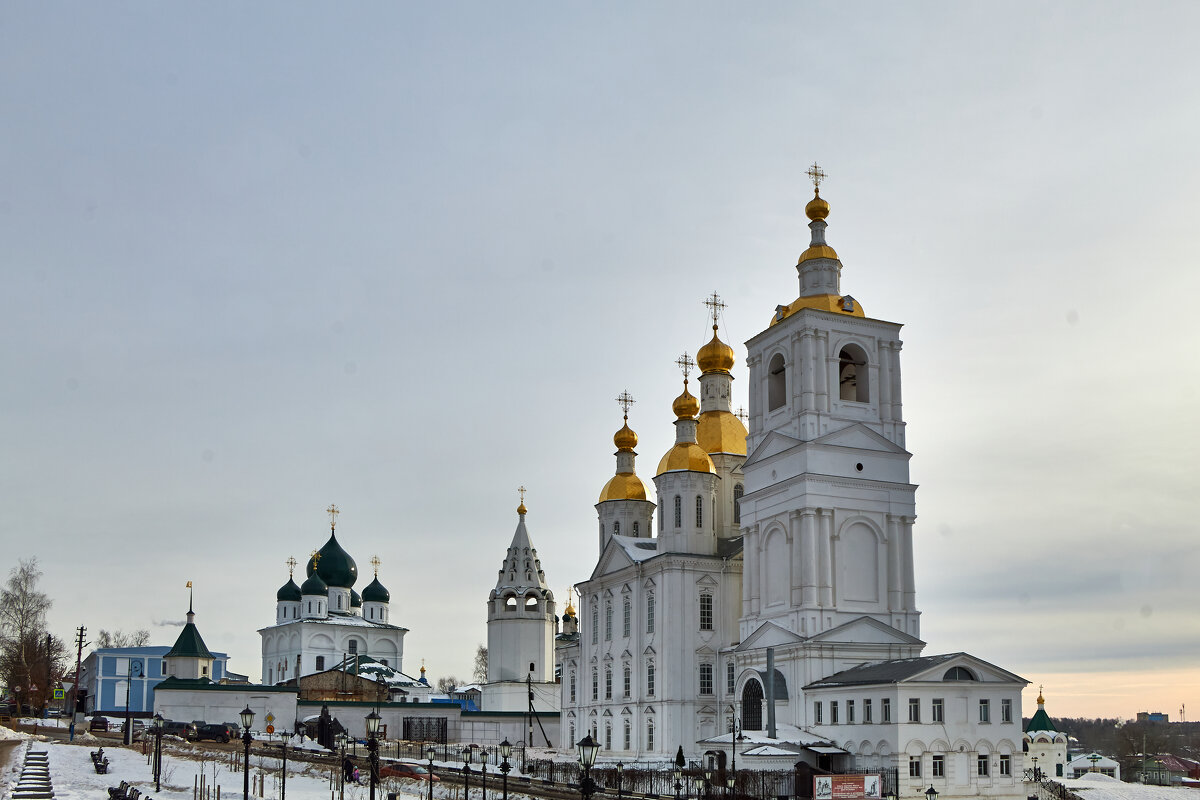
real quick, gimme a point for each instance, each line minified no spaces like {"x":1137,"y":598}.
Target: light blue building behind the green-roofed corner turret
{"x":110,"y":672}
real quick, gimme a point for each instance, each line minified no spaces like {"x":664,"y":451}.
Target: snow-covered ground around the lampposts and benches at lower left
{"x":75,"y":779}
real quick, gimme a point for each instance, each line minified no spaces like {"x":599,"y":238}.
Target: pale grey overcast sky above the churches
{"x":403,"y":257}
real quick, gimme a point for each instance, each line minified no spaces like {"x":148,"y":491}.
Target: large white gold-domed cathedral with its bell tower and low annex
{"x":773,"y":600}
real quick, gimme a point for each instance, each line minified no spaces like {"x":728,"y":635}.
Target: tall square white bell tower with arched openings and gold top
{"x":829,"y":510}
